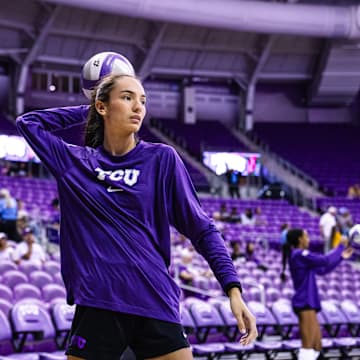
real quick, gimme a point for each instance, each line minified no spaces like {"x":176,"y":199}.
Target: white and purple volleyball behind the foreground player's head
{"x":102,"y":64}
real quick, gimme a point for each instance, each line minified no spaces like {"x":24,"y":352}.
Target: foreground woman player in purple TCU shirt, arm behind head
{"x":118,"y":197}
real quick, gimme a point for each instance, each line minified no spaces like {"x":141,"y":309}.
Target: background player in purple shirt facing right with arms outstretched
{"x":304,"y":266}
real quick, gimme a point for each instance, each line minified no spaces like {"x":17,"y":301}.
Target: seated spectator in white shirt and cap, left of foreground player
{"x":29,"y":249}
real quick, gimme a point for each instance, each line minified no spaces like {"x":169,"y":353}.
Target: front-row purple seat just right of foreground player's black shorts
{"x":206,"y":318}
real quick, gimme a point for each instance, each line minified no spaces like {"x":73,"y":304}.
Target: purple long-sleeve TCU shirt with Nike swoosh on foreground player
{"x":115,"y":217}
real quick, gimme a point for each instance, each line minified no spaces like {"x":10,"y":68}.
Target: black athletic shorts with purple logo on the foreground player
{"x":98,"y":334}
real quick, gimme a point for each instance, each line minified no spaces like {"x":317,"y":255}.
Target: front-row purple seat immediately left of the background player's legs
{"x":285,"y":317}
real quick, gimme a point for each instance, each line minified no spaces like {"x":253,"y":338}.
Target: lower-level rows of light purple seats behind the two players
{"x":32,"y":297}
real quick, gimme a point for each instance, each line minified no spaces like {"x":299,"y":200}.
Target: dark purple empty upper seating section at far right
{"x":326,"y":152}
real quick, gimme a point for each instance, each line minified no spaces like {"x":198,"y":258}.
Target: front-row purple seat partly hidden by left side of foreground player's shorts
{"x":62,"y":315}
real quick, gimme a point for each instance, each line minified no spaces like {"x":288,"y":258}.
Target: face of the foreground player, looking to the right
{"x":125,"y":110}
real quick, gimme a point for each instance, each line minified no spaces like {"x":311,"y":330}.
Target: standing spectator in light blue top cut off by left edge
{"x":8,"y":215}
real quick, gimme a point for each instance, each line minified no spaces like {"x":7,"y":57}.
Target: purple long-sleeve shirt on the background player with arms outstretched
{"x":304,"y":266}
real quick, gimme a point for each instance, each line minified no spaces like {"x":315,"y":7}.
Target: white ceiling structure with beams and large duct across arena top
{"x":247,"y":41}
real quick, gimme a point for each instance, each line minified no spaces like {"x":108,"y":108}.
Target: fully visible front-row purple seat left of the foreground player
{"x":29,"y":318}
